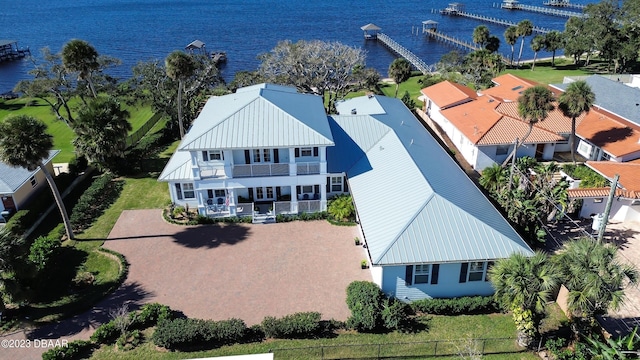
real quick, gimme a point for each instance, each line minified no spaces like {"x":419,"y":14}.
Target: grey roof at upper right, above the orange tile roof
{"x":613,"y":96}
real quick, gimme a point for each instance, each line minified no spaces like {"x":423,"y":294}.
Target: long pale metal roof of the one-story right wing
{"x":414,"y":203}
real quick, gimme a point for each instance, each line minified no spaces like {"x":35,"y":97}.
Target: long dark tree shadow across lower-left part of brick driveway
{"x":133,"y":295}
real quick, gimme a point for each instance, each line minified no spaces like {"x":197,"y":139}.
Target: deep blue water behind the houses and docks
{"x":143,"y":30}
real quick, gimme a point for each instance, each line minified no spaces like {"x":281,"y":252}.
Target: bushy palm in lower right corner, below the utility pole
{"x":594,"y":277}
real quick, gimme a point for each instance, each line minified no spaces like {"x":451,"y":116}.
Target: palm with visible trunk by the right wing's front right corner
{"x":524,"y":285}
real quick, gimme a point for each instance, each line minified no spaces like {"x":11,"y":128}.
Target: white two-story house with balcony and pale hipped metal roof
{"x":260,"y":151}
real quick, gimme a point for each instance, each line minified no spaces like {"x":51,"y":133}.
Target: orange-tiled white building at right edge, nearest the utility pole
{"x":626,"y":205}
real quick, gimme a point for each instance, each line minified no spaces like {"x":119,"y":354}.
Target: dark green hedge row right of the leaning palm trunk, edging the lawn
{"x":97,"y":198}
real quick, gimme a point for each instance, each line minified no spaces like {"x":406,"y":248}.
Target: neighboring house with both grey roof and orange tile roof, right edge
{"x":611,"y":130}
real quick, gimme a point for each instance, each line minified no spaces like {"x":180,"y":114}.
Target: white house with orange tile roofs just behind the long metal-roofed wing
{"x":484,"y":126}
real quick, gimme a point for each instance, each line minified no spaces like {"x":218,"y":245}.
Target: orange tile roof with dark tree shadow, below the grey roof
{"x":609,"y":132}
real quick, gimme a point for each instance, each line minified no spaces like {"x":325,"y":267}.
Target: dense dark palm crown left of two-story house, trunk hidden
{"x":101,"y":131}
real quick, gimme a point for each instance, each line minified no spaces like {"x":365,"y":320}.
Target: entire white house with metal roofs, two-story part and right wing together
{"x":428,"y":229}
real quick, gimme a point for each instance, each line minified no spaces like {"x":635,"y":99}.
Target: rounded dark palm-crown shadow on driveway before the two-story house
{"x":211,"y":236}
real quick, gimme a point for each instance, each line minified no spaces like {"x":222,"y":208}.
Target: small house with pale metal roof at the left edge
{"x":18,"y":185}
